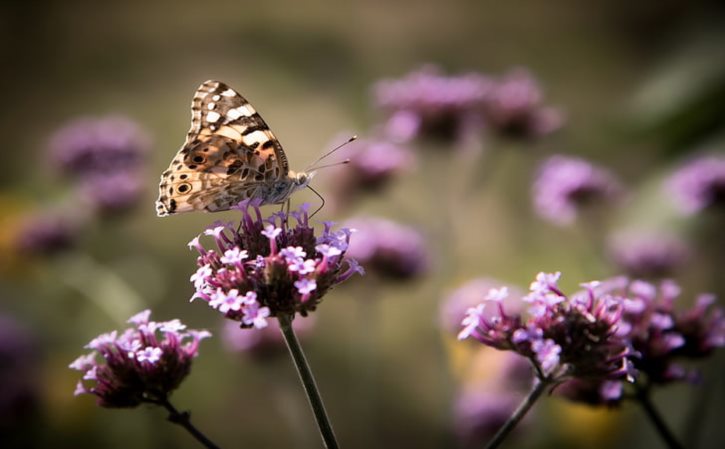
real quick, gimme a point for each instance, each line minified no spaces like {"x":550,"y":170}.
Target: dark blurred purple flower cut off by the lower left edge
{"x":19,"y":397}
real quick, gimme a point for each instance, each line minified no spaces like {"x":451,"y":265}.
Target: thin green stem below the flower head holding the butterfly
{"x":308,"y":382}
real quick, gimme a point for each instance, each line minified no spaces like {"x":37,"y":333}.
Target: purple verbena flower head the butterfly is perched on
{"x":264,"y":268}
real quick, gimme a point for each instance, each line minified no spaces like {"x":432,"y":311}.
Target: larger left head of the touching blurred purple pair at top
{"x":427,"y":103}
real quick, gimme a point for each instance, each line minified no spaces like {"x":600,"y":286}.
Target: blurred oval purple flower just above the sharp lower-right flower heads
{"x":648,"y":255}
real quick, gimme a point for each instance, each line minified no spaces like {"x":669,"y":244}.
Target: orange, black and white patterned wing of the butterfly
{"x":229,"y":155}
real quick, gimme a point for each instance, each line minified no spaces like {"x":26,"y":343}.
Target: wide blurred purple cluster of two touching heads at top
{"x":428,"y":103}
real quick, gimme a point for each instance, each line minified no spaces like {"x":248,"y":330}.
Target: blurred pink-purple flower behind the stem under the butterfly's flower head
{"x":264,"y":342}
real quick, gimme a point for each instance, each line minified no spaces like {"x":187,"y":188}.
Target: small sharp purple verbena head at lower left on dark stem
{"x":144,"y":363}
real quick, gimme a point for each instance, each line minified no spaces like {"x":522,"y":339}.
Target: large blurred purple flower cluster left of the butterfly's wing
{"x":105,"y":157}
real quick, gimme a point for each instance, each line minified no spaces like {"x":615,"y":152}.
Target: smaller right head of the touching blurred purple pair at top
{"x":514,"y":108}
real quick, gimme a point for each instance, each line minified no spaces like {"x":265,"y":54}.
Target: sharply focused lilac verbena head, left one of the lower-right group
{"x":563,"y":337}
